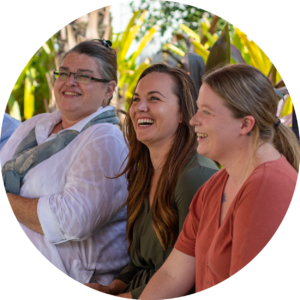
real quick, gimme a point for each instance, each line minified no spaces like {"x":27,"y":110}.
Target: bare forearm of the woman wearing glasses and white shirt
{"x":25,"y":211}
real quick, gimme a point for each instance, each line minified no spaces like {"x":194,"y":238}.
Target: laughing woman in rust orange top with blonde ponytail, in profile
{"x":235,"y":214}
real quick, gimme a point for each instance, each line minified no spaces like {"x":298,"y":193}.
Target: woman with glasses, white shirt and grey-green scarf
{"x":55,"y":170}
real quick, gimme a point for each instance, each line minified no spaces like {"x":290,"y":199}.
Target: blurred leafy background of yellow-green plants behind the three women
{"x":144,"y":32}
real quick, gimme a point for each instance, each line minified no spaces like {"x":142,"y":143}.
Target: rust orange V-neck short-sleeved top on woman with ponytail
{"x":253,"y":219}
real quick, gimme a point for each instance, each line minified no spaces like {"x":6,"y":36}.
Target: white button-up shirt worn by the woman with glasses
{"x":81,"y":212}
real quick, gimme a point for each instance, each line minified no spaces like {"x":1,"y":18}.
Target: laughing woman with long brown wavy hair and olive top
{"x":163,"y":171}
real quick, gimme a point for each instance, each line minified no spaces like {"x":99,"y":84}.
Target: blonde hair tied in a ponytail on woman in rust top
{"x":246,"y":91}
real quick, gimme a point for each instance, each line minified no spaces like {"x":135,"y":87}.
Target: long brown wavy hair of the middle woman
{"x":139,"y":169}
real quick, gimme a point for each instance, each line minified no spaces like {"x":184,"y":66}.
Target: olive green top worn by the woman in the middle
{"x":147,"y":254}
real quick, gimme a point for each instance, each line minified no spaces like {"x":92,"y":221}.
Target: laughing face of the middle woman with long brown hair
{"x":155,"y":112}
